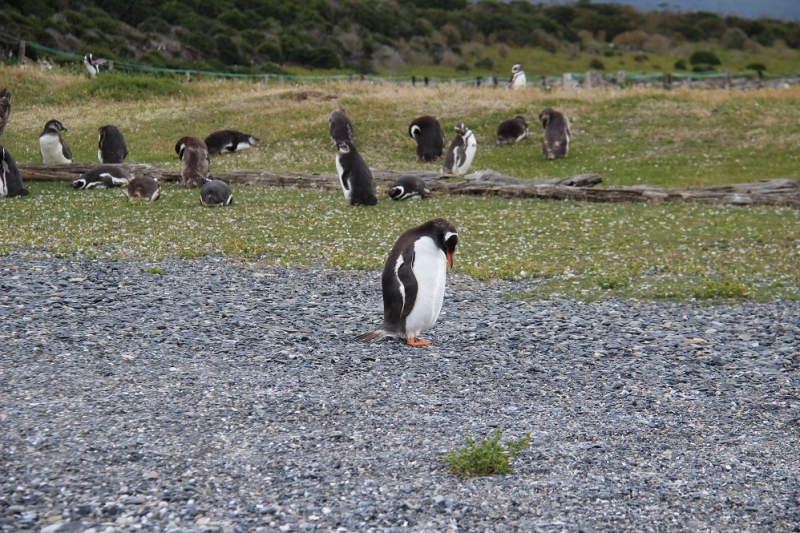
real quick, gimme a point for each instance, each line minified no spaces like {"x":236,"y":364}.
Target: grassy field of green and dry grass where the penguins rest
{"x":579,"y":250}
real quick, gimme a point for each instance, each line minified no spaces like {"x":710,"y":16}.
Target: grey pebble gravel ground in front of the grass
{"x":220,"y":397}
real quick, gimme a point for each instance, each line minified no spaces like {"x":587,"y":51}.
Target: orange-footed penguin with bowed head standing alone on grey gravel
{"x":413,"y":281}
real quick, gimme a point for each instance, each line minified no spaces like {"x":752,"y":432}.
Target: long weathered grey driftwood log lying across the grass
{"x":485,"y":182}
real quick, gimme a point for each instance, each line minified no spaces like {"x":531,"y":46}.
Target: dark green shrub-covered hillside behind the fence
{"x":369,"y":36}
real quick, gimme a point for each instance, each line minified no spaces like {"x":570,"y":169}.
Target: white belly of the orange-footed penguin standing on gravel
{"x":430,"y":270}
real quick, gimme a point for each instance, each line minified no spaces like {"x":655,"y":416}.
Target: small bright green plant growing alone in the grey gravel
{"x":486,"y":458}
